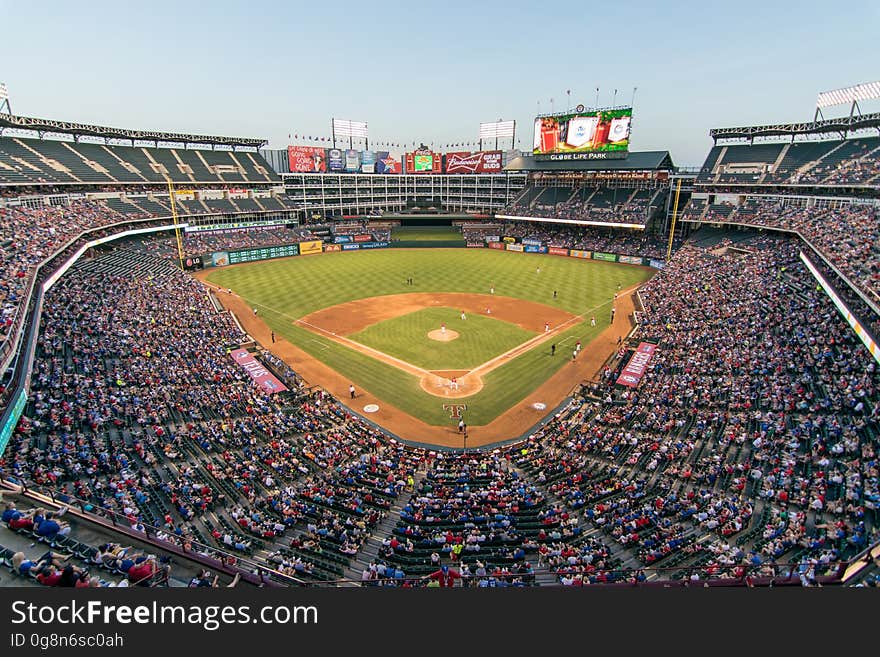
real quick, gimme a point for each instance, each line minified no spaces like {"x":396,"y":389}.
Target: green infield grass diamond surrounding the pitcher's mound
{"x":406,"y":337}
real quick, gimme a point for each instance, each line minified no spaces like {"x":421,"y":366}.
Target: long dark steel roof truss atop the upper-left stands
{"x":82,"y":129}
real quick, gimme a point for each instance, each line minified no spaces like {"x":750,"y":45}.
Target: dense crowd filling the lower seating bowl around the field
{"x":750,"y":443}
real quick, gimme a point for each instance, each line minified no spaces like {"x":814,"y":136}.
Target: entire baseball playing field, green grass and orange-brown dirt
{"x":390,"y":322}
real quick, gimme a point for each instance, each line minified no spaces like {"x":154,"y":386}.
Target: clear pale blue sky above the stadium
{"x":431,"y":72}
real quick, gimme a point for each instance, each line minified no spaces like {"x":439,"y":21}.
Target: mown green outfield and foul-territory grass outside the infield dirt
{"x":289,"y":288}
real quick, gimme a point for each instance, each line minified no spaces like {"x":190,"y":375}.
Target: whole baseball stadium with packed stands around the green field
{"x":346,"y":359}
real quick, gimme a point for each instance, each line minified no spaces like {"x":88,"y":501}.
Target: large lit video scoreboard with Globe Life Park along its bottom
{"x":583,"y":135}
